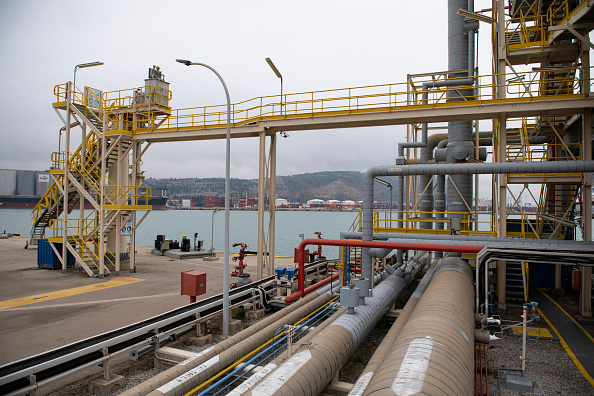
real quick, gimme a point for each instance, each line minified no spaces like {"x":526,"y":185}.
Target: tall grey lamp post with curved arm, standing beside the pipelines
{"x":227,"y":197}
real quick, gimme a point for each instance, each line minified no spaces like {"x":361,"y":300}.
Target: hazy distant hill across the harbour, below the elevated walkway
{"x":340,"y":185}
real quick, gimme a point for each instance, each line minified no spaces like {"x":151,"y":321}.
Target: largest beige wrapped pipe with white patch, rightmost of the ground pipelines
{"x":434,"y":352}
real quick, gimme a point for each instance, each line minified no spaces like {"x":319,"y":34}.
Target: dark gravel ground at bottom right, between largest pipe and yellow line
{"x":547,"y":363}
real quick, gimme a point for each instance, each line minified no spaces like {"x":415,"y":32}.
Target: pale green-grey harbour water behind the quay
{"x":243,"y":227}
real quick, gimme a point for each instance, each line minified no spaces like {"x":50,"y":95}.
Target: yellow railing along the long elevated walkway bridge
{"x":365,"y":99}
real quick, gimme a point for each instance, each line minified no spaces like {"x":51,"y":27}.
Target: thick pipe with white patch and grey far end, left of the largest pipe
{"x":313,"y":366}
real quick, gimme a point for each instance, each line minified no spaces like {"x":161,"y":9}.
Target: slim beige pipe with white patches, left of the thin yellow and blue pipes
{"x":253,"y":335}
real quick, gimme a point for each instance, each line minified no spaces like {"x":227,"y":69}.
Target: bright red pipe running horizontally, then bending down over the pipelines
{"x":366,"y":244}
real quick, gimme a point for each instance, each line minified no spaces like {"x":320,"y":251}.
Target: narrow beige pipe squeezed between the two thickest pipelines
{"x":383,"y":349}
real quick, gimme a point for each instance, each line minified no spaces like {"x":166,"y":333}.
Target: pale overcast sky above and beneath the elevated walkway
{"x":315,"y":44}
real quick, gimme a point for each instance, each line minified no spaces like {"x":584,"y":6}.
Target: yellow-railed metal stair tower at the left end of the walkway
{"x":83,"y":168}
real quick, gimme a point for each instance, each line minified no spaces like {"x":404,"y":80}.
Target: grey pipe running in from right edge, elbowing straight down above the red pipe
{"x":453,"y":169}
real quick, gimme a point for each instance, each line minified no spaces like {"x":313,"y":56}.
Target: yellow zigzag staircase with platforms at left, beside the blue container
{"x":83,"y":169}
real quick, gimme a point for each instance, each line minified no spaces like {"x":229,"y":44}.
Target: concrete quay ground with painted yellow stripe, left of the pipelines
{"x":51,"y":317}
